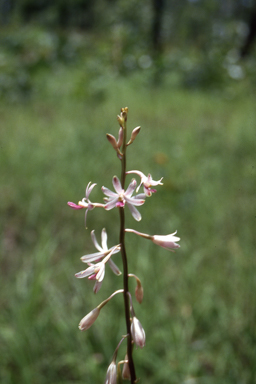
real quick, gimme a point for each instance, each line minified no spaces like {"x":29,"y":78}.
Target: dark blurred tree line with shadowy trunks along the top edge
{"x":92,"y":14}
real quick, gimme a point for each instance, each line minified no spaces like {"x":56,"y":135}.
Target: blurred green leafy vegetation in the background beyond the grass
{"x":198,"y":45}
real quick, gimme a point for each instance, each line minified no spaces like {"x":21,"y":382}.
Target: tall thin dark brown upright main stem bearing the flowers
{"x":125,"y":266}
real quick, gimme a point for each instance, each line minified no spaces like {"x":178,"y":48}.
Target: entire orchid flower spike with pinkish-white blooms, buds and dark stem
{"x":96,"y":262}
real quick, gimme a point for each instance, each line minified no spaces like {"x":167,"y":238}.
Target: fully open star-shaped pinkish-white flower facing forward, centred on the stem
{"x":120,"y":197}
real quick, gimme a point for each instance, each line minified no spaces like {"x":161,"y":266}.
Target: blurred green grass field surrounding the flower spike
{"x":199,"y":309}
